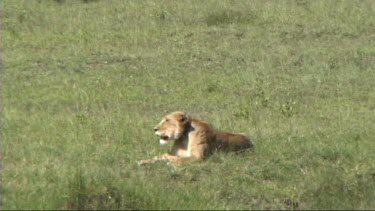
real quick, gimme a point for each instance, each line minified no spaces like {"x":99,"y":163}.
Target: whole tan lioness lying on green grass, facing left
{"x":193,"y":139}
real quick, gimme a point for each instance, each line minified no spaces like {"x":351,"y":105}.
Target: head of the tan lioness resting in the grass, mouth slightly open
{"x":172,"y":126}
